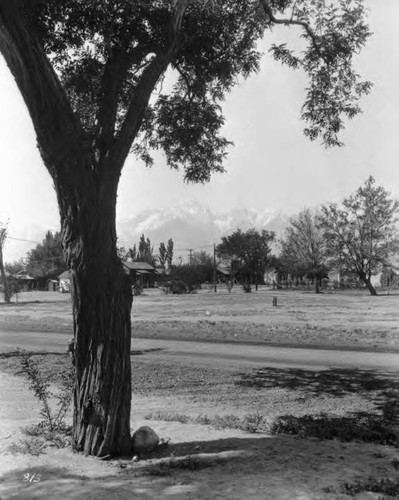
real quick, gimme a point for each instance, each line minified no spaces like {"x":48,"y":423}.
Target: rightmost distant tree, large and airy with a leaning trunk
{"x":361,"y":233}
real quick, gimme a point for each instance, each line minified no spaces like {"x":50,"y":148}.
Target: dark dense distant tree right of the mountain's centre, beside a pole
{"x":249,"y":252}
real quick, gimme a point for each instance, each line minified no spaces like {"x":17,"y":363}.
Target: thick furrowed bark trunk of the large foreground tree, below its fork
{"x":102,"y":301}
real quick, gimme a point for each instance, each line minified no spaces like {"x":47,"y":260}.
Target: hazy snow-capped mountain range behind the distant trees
{"x":192,"y":226}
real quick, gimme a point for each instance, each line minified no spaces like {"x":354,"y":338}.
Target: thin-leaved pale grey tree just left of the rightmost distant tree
{"x":303,"y":248}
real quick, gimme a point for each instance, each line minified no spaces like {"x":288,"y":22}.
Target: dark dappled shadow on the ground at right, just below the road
{"x":337,"y":382}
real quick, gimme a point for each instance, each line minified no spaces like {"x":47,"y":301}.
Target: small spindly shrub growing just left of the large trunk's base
{"x":53,"y":421}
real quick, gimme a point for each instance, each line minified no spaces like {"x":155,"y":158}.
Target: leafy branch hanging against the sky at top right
{"x":334,"y":31}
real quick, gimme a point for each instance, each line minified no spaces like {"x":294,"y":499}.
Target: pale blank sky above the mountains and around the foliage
{"x":271,"y":166}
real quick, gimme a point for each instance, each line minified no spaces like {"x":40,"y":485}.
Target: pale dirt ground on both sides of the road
{"x":202,"y":462}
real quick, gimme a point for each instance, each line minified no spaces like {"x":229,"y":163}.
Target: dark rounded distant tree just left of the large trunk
{"x":46,"y":260}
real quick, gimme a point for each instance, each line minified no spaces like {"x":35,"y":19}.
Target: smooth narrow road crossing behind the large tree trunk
{"x":212,"y":354}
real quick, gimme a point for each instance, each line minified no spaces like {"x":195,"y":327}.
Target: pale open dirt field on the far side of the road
{"x":344,"y":319}
